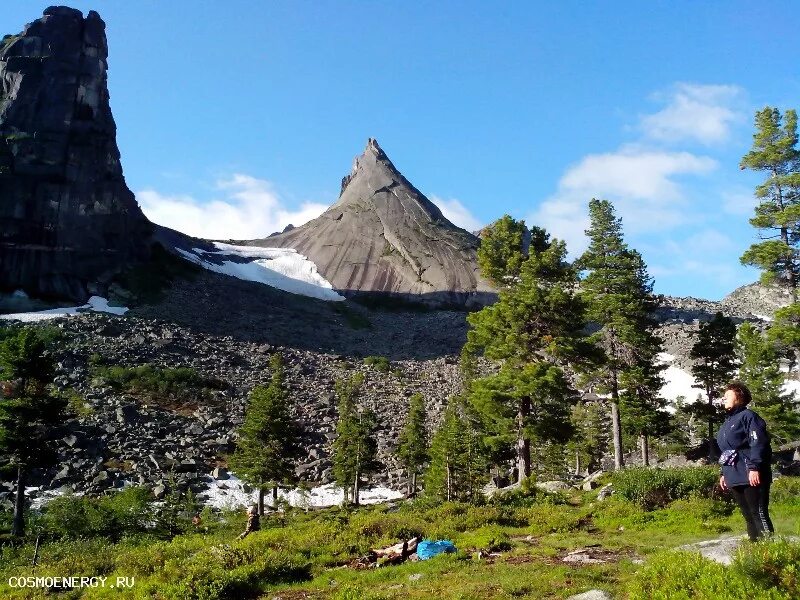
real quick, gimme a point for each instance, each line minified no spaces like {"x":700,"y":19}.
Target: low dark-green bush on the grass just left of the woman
{"x":656,"y":488}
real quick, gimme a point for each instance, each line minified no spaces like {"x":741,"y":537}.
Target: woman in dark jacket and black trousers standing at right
{"x":746,"y":460}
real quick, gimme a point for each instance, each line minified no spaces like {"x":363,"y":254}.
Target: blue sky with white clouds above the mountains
{"x":236,"y":118}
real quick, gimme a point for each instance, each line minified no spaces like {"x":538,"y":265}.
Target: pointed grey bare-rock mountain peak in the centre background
{"x":384,"y":236}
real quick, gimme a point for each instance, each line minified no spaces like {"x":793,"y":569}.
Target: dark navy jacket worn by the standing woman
{"x":745,"y":432}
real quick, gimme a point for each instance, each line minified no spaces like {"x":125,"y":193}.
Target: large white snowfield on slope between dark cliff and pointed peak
{"x":281,"y":268}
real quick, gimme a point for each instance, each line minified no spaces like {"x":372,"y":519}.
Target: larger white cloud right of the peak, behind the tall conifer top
{"x":641,"y":184}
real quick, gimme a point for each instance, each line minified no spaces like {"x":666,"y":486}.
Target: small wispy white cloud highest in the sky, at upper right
{"x":695,"y":112}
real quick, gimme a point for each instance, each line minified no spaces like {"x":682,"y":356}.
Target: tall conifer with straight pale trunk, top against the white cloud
{"x":618,"y":294}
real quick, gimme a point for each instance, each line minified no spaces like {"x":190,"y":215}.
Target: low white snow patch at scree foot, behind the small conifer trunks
{"x":230,"y":494}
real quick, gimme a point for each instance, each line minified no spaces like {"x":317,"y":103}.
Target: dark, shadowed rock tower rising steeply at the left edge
{"x":67,"y":219}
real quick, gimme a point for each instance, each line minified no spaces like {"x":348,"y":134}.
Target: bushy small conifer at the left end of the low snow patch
{"x":268,"y":438}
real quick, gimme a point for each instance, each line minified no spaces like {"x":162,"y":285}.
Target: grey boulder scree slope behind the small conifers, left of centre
{"x":123,"y":438}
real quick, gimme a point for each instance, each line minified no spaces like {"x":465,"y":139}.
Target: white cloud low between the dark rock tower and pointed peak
{"x":249,"y":209}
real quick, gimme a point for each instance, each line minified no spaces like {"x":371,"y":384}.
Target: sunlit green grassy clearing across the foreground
{"x":522,"y":547}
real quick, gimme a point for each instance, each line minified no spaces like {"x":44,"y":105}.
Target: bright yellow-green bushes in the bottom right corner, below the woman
{"x":763,"y":570}
